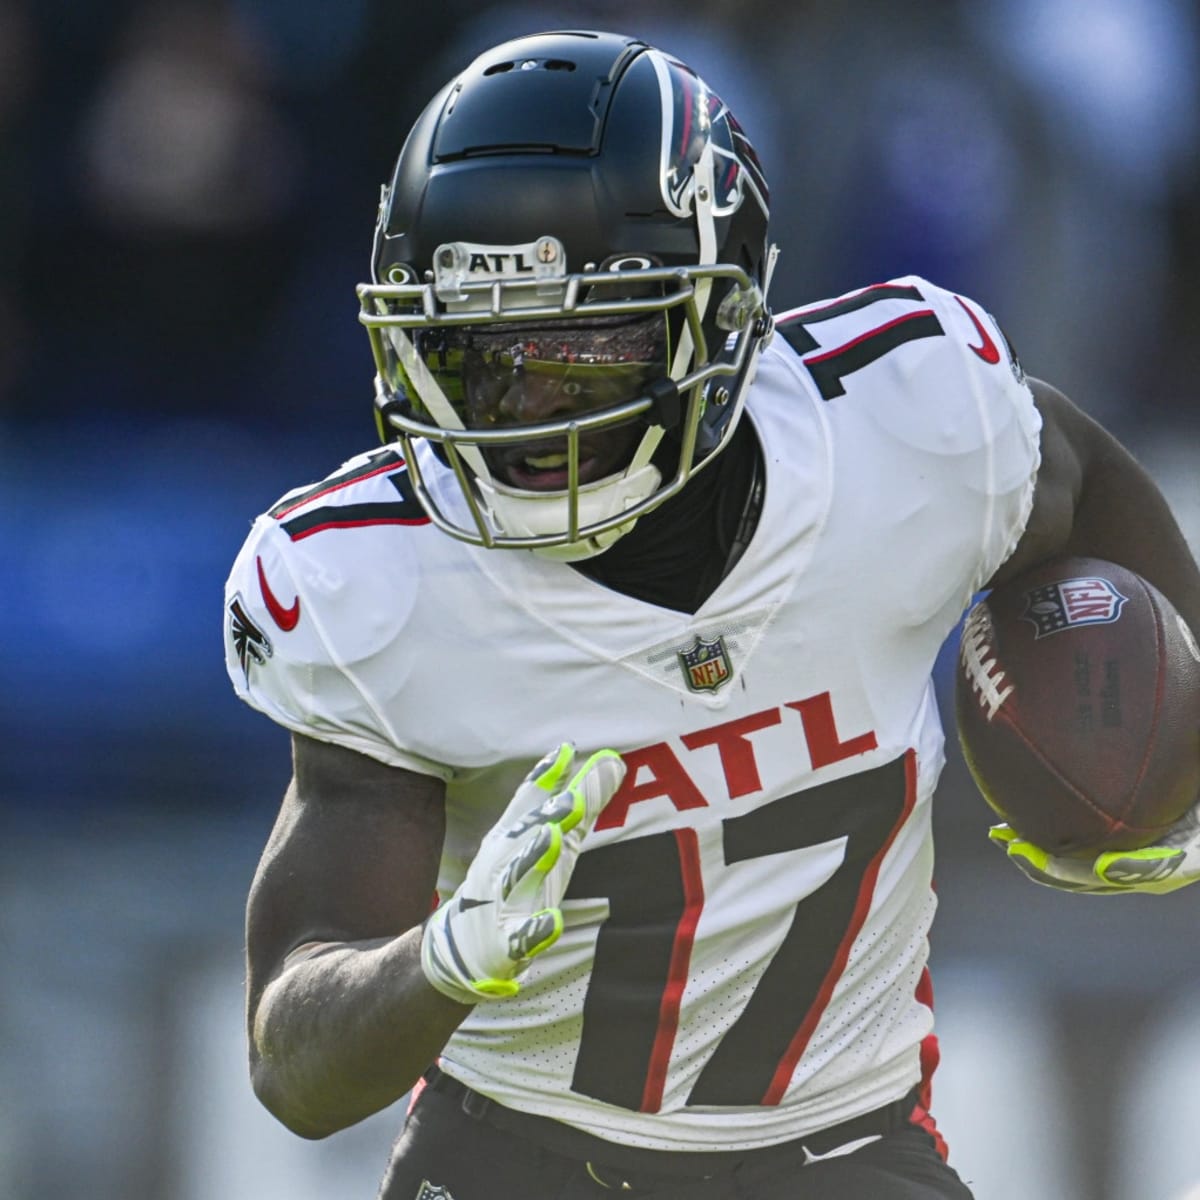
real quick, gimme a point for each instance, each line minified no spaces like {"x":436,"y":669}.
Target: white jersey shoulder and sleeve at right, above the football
{"x":934,"y":434}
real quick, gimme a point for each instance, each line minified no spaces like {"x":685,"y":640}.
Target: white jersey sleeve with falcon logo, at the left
{"x":281,"y":658}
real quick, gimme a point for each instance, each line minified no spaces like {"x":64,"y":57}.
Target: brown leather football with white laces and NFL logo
{"x":1078,"y":706}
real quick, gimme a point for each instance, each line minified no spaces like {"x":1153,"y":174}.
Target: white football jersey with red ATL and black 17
{"x":747,"y":928}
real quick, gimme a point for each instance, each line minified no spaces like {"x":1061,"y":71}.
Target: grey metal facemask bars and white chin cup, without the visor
{"x":530,"y":286}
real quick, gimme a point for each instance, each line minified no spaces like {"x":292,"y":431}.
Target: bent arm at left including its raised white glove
{"x":353,"y":987}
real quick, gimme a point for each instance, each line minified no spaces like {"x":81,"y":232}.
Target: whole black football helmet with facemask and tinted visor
{"x":568,"y":293}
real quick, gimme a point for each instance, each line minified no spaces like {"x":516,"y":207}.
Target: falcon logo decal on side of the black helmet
{"x":692,"y":118}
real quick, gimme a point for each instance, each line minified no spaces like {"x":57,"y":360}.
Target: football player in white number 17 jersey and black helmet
{"x":695,"y":562}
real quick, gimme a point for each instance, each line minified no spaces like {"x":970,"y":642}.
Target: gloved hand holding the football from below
{"x":1172,"y":863}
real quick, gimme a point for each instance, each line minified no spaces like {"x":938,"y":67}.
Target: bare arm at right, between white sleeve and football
{"x":1095,"y":500}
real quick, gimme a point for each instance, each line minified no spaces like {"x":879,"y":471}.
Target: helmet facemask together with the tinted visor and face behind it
{"x":551,"y":415}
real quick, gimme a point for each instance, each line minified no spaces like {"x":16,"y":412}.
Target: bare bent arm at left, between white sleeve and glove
{"x":341,"y":1018}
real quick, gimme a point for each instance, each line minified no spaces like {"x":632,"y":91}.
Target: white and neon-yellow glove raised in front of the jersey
{"x":507,"y":909}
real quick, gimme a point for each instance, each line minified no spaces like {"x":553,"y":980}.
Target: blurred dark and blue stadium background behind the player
{"x":188,"y":193}
